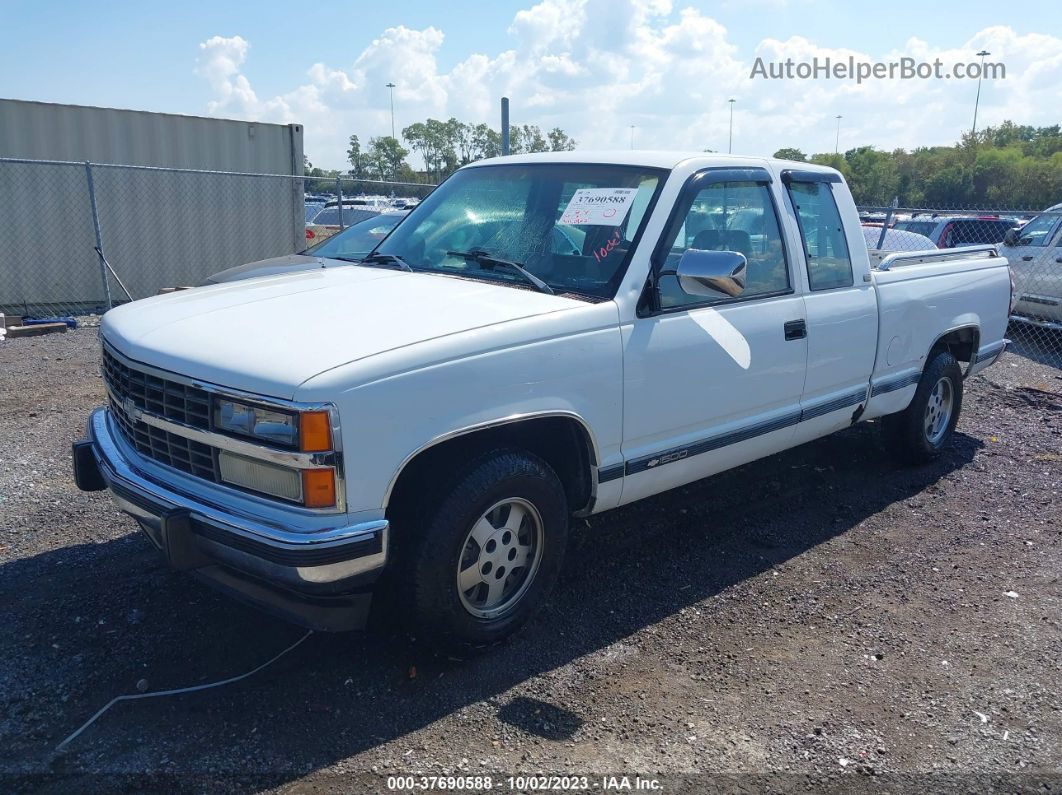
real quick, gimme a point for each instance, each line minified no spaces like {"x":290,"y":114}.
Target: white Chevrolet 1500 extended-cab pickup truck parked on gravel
{"x":544,"y":337}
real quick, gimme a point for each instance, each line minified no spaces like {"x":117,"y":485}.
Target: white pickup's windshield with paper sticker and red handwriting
{"x":572,"y":226}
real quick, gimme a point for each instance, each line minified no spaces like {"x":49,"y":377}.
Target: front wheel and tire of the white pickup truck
{"x":488,"y":554}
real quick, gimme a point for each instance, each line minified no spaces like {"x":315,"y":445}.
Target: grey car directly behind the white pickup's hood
{"x":351,"y":246}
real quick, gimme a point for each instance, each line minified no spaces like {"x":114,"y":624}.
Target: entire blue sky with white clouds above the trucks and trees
{"x":591,"y":67}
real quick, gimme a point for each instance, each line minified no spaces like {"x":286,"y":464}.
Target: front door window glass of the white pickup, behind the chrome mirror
{"x":731,"y":217}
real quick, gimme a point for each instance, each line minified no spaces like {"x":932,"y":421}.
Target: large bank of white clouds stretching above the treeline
{"x":595,"y":67}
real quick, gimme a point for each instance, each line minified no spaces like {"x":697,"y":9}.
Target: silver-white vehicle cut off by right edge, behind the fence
{"x":1035,"y":253}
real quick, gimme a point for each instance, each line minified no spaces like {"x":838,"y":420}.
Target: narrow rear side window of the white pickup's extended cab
{"x":826,"y":247}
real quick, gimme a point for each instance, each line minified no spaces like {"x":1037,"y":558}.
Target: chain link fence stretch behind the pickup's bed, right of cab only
{"x":1031,"y":241}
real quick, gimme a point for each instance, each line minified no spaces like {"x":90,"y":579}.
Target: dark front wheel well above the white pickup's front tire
{"x":561,"y":442}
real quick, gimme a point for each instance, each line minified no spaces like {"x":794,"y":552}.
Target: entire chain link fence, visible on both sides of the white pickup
{"x":77,"y":238}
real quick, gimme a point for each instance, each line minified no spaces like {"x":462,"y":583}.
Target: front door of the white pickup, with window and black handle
{"x":712,"y":384}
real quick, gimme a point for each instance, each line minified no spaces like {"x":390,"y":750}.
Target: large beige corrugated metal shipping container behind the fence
{"x":165,"y":223}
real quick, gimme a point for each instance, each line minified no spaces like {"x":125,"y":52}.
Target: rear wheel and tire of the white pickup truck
{"x":922,"y":431}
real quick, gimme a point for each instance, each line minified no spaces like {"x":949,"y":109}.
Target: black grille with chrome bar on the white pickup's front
{"x":166,"y":399}
